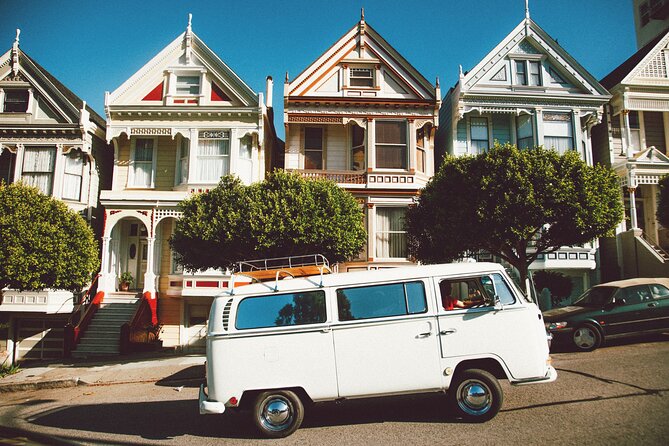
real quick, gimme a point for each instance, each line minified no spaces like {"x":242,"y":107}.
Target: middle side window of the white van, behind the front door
{"x":368,"y":302}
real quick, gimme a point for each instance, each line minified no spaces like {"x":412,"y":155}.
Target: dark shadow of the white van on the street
{"x":179,"y":418}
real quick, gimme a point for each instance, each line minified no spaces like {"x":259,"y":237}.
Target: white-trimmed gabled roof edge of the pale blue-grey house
{"x":528,"y":31}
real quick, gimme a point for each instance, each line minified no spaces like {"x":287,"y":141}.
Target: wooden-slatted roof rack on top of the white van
{"x":263,"y":270}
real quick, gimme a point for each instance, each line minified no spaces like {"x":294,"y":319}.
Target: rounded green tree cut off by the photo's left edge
{"x":43,"y":243}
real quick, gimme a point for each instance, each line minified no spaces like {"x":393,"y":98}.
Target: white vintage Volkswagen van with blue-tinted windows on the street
{"x":274,"y":346}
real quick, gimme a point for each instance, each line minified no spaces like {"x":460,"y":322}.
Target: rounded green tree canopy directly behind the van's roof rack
{"x":282,"y":216}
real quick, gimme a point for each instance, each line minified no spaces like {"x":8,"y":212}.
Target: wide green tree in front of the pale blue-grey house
{"x":507,"y":200}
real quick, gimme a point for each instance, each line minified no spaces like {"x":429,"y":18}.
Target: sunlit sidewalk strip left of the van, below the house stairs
{"x":153,"y":367}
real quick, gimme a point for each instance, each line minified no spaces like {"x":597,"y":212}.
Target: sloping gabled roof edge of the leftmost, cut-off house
{"x":67,"y":104}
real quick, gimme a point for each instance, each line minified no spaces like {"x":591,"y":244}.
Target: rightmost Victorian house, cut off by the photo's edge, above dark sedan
{"x":634,"y":140}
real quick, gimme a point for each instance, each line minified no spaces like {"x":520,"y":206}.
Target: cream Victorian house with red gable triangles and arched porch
{"x":177,"y":125}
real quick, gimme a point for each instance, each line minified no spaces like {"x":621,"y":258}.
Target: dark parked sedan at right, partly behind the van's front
{"x":610,"y":310}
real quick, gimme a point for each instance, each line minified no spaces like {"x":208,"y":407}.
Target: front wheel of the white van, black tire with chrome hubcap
{"x":475,"y":395}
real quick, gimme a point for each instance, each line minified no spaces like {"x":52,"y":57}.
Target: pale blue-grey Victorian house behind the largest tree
{"x":527,"y":91}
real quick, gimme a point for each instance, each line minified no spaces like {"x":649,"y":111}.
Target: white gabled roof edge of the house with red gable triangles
{"x":172,"y":56}
